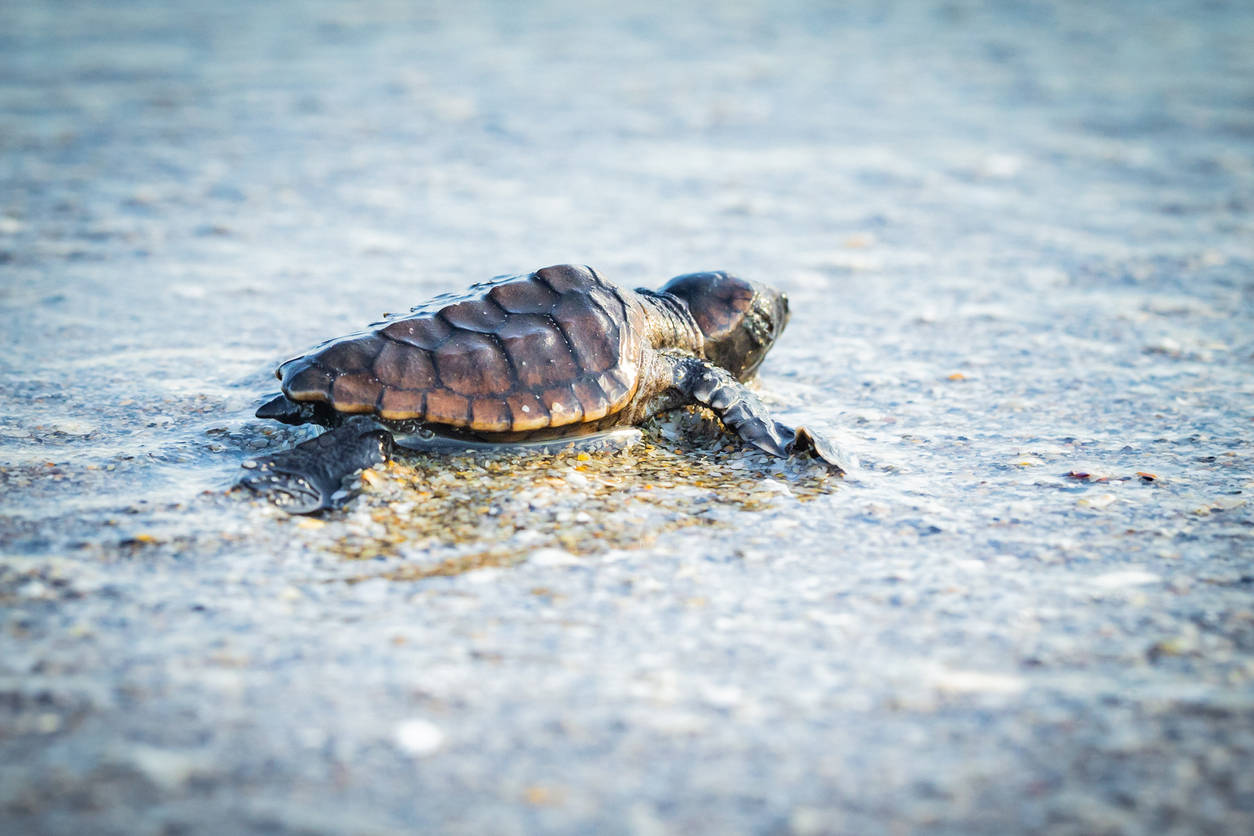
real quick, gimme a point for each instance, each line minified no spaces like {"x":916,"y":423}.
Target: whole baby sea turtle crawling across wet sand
{"x":555,"y":358}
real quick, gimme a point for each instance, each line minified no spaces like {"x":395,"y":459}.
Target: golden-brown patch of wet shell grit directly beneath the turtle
{"x":446,"y":516}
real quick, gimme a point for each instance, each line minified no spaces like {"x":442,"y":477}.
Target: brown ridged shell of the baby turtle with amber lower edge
{"x":557,"y":348}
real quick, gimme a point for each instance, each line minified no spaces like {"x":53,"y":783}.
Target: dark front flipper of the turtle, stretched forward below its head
{"x":747,"y":417}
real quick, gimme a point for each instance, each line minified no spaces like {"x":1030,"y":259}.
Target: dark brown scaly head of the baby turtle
{"x":739,"y":319}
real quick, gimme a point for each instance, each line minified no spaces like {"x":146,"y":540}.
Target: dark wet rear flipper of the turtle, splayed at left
{"x":312,"y":477}
